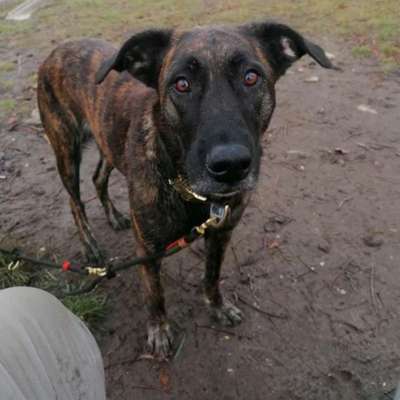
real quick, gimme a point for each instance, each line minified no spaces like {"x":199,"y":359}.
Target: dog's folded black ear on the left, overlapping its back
{"x":141,"y":56}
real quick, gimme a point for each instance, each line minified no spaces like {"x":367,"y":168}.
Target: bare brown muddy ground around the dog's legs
{"x":314,"y":265}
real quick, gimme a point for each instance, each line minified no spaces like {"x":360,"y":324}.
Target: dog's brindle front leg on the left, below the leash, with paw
{"x":160,"y":335}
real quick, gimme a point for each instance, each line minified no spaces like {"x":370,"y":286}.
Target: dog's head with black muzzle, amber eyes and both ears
{"x":216,"y":94}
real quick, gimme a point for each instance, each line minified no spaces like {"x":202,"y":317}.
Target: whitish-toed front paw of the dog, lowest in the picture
{"x":160,"y":340}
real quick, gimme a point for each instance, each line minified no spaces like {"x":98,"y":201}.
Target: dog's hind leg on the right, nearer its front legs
{"x":100,"y":180}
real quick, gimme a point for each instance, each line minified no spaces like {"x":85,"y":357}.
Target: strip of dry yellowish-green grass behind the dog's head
{"x":373,"y":25}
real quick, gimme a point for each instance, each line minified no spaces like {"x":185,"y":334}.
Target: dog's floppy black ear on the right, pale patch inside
{"x":283,"y":45}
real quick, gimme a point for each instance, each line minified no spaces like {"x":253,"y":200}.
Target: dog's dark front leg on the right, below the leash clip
{"x":222,"y":310}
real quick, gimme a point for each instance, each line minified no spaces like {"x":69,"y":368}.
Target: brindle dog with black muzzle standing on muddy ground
{"x":169,"y":103}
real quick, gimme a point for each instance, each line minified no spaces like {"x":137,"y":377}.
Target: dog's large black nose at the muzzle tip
{"x":229,"y":163}
